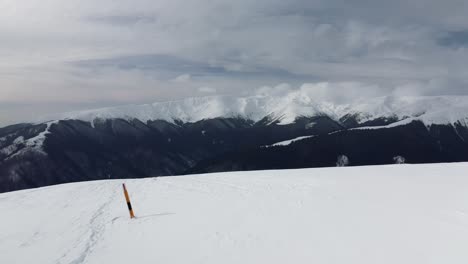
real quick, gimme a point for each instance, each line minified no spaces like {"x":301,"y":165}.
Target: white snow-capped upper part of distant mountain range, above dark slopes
{"x":285,"y":109}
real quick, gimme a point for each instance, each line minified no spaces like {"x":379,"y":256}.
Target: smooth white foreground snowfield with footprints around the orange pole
{"x":392,"y":214}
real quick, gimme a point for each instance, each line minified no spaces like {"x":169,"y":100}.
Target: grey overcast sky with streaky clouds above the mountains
{"x":66,"y":55}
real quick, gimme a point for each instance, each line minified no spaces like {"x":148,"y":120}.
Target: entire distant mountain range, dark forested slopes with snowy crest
{"x":207,"y":135}
